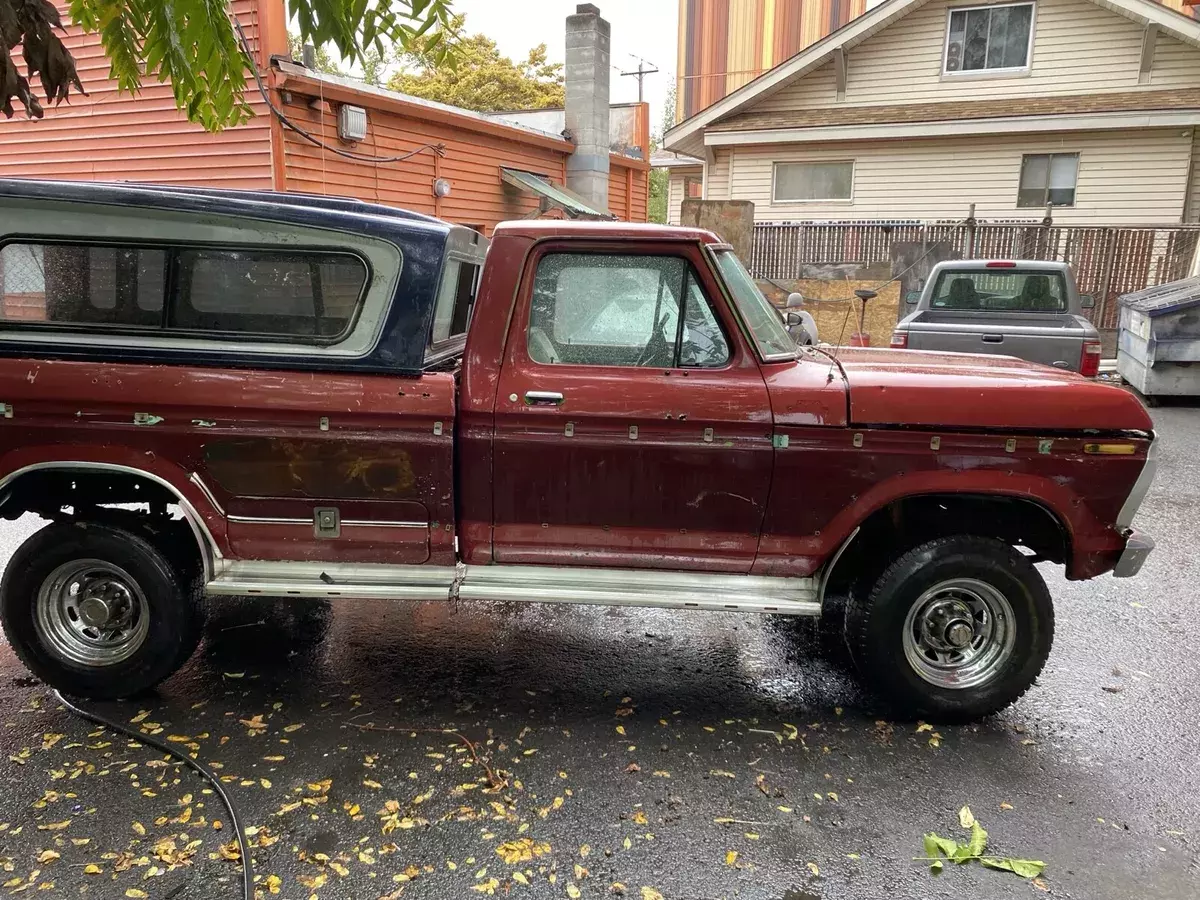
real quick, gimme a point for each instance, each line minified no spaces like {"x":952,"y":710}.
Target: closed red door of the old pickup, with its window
{"x":633,"y":425}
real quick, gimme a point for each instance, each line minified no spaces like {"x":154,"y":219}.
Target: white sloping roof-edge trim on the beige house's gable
{"x":688,"y":135}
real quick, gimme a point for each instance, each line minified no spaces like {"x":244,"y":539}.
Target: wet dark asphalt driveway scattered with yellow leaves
{"x":548,"y":753}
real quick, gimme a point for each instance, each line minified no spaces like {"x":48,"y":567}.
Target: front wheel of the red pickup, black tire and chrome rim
{"x":955,"y":631}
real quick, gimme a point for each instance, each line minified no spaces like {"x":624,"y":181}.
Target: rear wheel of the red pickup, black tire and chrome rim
{"x":97,"y":611}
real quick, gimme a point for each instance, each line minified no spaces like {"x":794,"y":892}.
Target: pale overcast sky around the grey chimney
{"x":640,"y":28}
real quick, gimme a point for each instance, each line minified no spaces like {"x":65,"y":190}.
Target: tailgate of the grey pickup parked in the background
{"x":1053,"y":339}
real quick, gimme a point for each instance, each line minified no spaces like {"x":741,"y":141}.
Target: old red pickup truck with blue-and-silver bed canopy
{"x":233,"y":394}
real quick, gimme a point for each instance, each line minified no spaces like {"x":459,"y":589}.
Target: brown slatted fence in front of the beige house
{"x":1108,"y":261}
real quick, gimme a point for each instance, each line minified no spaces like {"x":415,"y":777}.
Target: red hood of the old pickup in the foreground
{"x":981,"y":392}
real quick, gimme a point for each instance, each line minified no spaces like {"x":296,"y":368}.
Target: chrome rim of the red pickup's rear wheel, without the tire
{"x":92,"y":614}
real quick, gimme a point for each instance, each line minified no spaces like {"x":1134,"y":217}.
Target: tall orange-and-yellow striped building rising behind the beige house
{"x":727,"y":44}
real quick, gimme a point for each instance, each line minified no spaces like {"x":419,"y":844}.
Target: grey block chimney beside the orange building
{"x":587,"y":104}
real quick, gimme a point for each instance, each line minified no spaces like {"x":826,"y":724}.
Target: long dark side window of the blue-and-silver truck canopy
{"x":314,"y":297}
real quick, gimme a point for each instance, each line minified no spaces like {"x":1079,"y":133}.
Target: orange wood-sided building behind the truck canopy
{"x":107,"y":136}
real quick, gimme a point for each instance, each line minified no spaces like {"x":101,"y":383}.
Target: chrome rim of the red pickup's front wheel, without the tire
{"x":959,"y":634}
